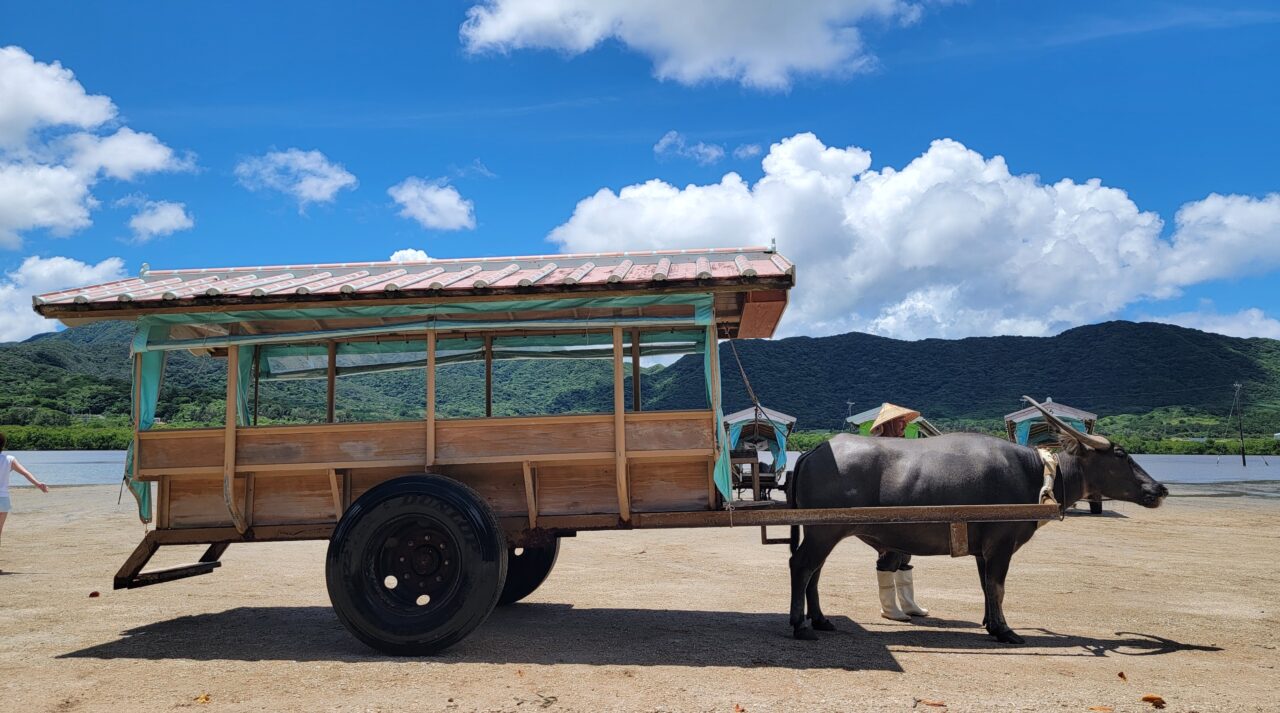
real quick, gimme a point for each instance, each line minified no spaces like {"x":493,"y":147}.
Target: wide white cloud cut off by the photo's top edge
{"x":761,"y":44}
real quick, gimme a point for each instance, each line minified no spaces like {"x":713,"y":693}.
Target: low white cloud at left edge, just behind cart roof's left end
{"x":38,"y":276}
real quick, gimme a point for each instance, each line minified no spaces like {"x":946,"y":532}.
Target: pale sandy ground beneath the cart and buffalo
{"x":1183,"y":601}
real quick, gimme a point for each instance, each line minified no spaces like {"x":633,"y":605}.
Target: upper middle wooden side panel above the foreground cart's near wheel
{"x":518,"y":438}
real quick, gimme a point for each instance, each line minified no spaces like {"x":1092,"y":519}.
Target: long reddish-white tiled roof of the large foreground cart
{"x":481,"y":276}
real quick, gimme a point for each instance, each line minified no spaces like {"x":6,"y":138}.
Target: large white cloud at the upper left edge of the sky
{"x":57,"y":144}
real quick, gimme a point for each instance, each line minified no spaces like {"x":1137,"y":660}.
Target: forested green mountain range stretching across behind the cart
{"x":1168,"y":381}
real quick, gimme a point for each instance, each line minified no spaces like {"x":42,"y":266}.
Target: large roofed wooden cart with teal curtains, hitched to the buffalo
{"x":433,"y":522}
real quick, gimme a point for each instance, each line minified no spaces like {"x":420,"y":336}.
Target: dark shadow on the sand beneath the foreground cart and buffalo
{"x":547,"y":634}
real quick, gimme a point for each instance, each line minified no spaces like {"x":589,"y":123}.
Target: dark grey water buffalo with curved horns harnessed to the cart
{"x":949,"y":470}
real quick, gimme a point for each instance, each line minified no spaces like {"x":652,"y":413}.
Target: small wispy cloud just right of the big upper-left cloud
{"x":308,"y":177}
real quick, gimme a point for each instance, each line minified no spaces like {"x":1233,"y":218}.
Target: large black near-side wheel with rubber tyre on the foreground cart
{"x":415,"y":565}
